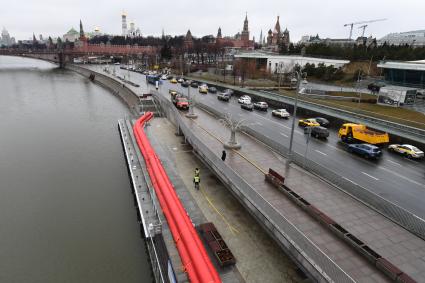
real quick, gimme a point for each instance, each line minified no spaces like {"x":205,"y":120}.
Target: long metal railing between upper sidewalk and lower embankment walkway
{"x":328,"y":270}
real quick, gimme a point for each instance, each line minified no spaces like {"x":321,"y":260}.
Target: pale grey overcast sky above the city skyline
{"x":325,"y":17}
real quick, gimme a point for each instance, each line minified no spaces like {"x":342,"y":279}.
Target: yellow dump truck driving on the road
{"x":351,"y":132}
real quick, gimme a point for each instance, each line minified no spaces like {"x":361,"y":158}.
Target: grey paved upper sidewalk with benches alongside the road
{"x":402,"y":248}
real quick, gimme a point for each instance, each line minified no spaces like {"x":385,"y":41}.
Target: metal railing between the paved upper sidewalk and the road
{"x":401,"y":216}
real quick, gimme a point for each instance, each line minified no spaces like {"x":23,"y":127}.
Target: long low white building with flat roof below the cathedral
{"x":285,"y":63}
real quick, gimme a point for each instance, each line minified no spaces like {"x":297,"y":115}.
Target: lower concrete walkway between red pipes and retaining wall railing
{"x":258,"y":258}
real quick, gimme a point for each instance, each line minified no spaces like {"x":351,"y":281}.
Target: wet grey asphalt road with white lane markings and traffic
{"x":395,"y":178}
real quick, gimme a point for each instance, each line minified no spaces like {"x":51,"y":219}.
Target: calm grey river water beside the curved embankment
{"x":66,"y":208}
